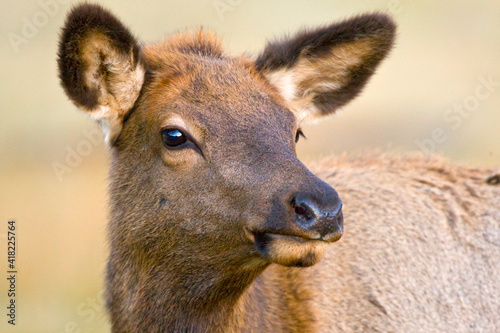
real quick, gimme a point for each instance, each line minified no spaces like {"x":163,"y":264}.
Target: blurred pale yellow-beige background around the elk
{"x":439,"y":92}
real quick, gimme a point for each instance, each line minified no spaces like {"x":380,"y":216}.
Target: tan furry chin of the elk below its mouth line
{"x":291,"y":251}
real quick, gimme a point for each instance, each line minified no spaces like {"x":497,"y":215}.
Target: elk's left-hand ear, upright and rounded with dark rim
{"x":99,"y":66}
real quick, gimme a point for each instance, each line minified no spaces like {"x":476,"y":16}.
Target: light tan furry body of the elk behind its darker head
{"x":426,"y":260}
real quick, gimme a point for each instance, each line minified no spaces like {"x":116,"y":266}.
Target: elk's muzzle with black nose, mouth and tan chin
{"x":309,"y":222}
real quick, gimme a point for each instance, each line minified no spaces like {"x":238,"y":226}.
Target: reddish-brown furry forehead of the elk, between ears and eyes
{"x":215,"y":94}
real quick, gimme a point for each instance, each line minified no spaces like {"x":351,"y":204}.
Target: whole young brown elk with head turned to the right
{"x":215,"y":224}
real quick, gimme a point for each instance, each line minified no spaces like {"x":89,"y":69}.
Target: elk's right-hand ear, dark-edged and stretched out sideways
{"x":318,"y":71}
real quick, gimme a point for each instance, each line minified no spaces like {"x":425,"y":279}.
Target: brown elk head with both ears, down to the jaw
{"x":204,"y":167}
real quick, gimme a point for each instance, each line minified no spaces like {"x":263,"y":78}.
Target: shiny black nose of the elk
{"x":320,"y":218}
